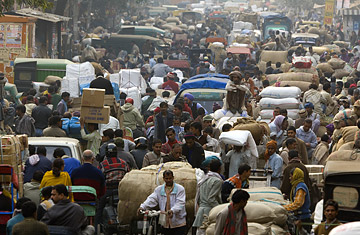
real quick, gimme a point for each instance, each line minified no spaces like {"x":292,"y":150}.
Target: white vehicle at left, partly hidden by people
{"x":71,"y":146}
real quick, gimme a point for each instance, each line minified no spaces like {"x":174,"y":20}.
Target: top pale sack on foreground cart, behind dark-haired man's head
{"x":261,"y":193}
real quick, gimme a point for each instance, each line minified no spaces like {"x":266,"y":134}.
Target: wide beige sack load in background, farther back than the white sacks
{"x":274,"y":57}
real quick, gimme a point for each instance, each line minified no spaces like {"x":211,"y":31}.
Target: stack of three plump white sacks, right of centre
{"x":283,"y":97}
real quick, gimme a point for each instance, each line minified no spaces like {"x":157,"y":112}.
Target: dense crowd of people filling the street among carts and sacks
{"x":159,"y":131}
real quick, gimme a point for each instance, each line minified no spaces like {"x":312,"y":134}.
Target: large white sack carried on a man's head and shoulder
{"x":240,"y":138}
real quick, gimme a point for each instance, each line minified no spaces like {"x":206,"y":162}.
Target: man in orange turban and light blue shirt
{"x":273,"y":162}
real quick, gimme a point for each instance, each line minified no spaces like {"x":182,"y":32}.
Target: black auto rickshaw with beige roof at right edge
{"x":342,"y":184}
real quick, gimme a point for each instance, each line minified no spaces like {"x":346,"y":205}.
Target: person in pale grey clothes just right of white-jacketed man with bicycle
{"x":208,"y":193}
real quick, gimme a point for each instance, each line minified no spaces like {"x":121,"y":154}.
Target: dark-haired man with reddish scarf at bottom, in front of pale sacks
{"x":232,"y":219}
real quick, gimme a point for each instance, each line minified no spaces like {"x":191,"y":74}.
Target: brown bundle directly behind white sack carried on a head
{"x":257,"y":129}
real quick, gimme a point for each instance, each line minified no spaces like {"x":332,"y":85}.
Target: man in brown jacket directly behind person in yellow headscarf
{"x":294,"y":162}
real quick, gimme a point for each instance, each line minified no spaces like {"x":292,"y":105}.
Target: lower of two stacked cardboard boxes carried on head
{"x":96,"y":115}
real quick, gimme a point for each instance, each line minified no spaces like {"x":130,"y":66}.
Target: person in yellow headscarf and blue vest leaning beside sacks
{"x":300,"y":198}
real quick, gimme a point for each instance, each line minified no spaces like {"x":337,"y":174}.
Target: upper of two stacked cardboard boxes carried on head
{"x":93,"y":97}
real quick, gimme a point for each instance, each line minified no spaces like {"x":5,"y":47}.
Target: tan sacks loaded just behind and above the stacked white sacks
{"x":301,"y":80}
